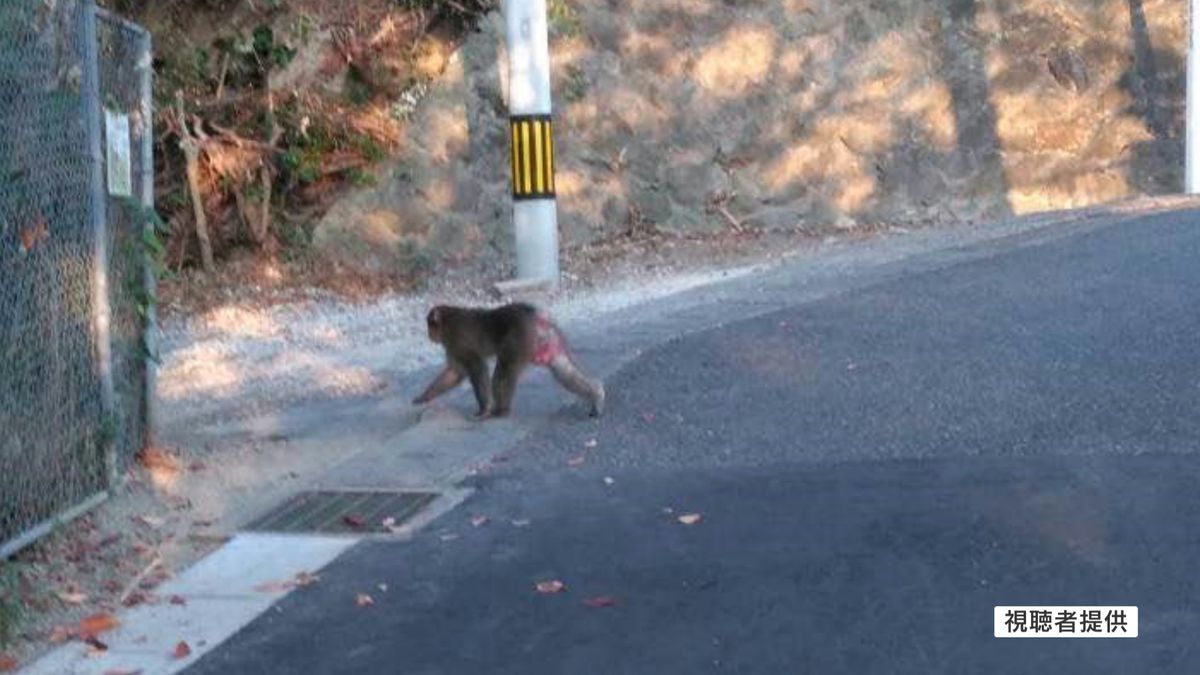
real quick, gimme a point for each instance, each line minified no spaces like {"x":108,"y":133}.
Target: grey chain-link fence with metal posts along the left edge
{"x":75,"y":136}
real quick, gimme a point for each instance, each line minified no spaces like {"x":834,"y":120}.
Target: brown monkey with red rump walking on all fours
{"x":517,"y":336}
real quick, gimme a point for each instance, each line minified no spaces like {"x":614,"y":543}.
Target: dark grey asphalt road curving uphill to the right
{"x":874,"y":471}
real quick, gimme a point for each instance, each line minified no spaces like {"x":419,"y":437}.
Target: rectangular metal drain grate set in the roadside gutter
{"x":341,"y":512}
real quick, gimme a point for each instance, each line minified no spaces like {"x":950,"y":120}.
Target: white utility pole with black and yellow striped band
{"x":535,"y":211}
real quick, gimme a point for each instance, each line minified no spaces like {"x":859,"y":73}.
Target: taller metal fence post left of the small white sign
{"x":98,"y":210}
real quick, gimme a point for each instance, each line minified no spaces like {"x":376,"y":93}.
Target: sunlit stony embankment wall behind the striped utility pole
{"x":700,"y":116}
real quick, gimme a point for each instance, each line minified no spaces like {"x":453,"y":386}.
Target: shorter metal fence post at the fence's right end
{"x":151,"y":338}
